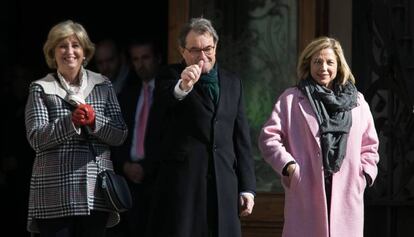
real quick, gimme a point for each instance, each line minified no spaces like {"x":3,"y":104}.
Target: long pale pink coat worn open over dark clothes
{"x":292,"y":134}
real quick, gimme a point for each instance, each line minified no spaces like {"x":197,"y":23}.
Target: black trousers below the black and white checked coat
{"x":93,"y":225}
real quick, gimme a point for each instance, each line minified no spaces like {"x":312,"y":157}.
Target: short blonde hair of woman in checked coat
{"x":61,"y":31}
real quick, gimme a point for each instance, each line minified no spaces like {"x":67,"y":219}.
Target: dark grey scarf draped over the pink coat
{"x":333,"y":111}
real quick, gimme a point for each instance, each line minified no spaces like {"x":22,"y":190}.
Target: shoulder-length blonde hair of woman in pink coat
{"x":344,"y":73}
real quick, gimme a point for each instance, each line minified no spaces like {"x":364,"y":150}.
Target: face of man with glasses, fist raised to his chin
{"x":199,"y":47}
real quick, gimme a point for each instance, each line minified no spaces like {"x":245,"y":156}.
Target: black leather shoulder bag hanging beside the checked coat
{"x":116,"y":190}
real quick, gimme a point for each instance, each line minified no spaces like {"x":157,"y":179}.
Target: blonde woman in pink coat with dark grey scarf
{"x":321,"y":139}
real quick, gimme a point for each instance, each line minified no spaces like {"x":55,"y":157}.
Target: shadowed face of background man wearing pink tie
{"x":144,"y":61}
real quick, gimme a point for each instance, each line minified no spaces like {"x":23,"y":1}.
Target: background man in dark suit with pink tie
{"x":145,"y":60}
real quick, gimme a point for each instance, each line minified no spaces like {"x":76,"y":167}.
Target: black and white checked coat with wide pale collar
{"x":64,"y":174}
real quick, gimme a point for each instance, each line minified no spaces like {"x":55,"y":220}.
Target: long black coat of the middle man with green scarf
{"x":182,"y":137}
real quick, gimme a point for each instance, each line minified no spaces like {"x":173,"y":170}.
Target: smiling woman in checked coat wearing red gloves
{"x":69,"y":113}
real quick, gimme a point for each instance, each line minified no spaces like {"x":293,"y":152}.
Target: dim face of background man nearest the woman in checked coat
{"x":107,"y":61}
